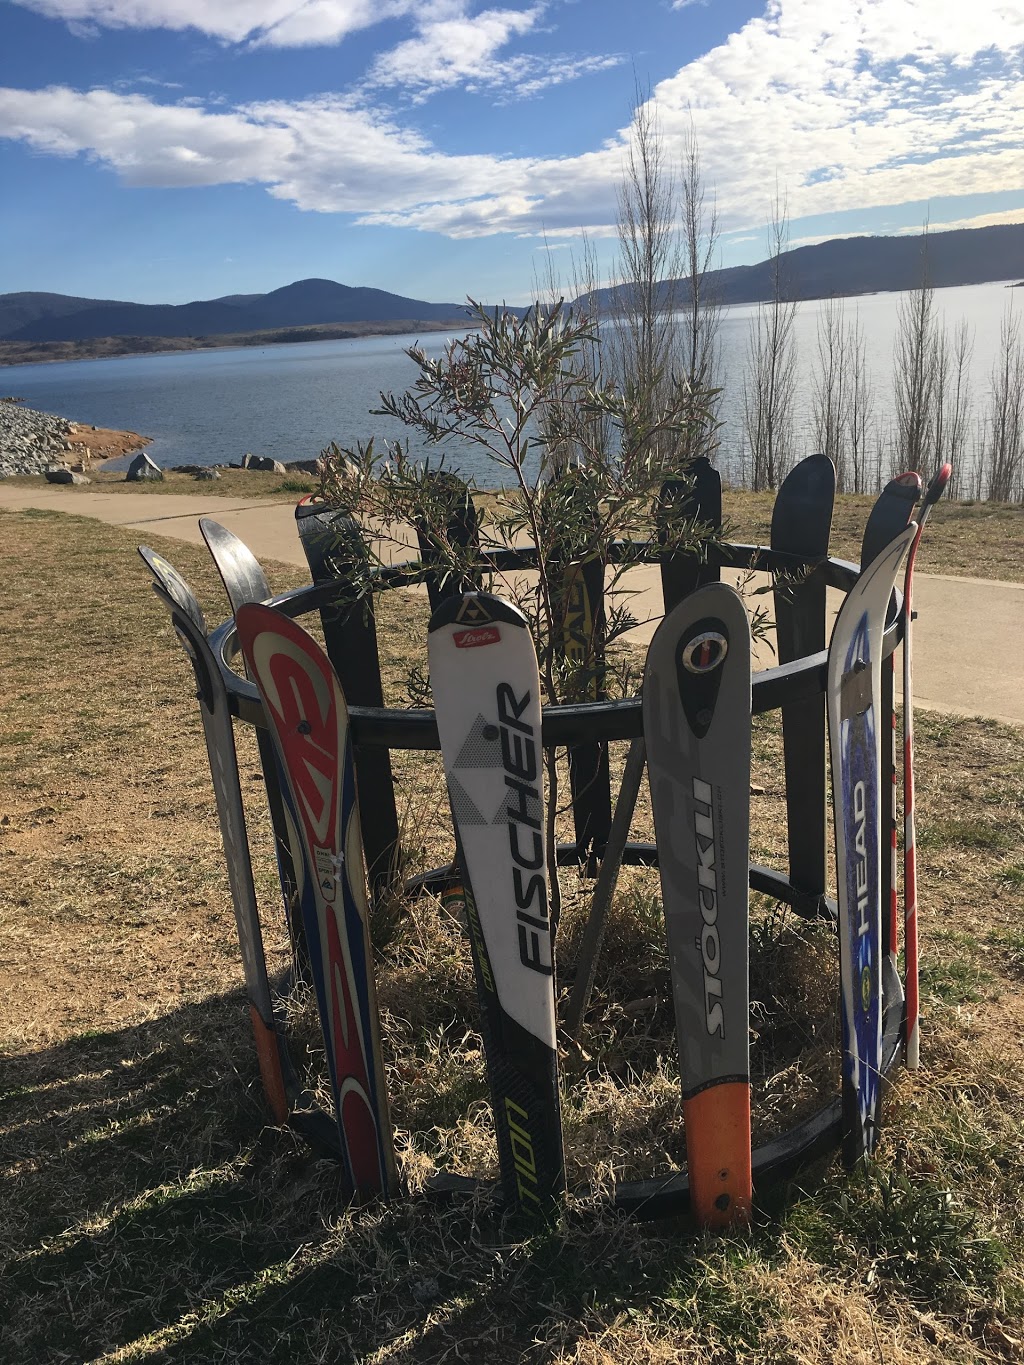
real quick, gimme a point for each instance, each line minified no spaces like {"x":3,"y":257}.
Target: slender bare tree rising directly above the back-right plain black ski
{"x":771,"y":380}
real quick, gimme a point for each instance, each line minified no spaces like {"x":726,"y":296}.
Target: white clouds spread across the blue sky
{"x":847,"y":107}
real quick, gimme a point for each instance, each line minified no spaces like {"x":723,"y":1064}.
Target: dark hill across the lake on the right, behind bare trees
{"x":869,"y":265}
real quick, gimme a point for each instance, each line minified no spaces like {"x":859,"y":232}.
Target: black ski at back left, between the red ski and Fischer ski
{"x":331,"y":543}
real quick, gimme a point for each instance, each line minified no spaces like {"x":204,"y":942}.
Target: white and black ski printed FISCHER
{"x":488,"y":704}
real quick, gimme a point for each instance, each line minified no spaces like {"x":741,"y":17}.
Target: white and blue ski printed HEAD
{"x":854,"y":704}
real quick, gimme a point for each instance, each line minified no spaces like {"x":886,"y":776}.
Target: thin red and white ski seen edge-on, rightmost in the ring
{"x":910,"y":851}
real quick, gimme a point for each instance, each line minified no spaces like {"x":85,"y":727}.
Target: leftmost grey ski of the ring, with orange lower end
{"x":190,"y":630}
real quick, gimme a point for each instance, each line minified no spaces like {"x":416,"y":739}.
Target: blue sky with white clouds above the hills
{"x":165,"y":151}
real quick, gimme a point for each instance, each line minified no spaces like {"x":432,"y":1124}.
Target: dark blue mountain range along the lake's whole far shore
{"x":840,"y":267}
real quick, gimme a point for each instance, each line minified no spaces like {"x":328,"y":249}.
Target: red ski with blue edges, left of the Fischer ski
{"x":309,"y":723}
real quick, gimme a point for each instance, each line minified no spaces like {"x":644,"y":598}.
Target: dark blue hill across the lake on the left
{"x":54,"y":317}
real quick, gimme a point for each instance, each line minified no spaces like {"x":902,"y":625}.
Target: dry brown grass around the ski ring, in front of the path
{"x":150,"y":1214}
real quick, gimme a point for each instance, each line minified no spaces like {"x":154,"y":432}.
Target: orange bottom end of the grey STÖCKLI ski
{"x":719,"y":1155}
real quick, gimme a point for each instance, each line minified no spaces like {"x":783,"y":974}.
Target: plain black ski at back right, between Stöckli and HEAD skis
{"x":801,"y":526}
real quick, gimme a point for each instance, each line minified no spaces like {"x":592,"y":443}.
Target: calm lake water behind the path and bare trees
{"x":293,"y":401}
